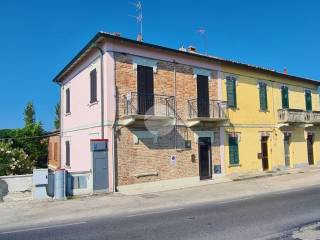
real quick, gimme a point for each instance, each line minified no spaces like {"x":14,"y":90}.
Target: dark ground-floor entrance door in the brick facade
{"x":205,"y":170}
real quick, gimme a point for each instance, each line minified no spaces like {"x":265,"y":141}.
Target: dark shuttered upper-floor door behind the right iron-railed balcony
{"x":202,"y":96}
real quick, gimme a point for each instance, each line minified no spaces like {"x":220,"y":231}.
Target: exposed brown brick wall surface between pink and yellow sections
{"x":148,"y":160}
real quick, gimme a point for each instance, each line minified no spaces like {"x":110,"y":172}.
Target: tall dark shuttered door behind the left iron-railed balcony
{"x":145,"y":95}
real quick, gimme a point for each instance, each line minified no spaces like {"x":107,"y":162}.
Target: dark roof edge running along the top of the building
{"x":100,"y":36}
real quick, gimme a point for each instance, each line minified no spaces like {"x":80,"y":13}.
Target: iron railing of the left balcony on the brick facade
{"x":149,"y":104}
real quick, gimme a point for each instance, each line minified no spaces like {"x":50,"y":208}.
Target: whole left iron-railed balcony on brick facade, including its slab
{"x":141,"y":107}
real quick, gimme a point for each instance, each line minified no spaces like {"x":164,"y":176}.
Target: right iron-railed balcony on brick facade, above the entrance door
{"x":203,"y":110}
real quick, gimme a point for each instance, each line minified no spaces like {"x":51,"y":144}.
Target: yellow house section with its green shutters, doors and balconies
{"x":273,"y":120}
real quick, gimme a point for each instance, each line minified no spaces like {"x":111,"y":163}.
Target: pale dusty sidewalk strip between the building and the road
{"x":26,"y":213}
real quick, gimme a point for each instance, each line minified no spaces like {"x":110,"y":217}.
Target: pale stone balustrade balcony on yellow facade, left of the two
{"x":292,"y":116}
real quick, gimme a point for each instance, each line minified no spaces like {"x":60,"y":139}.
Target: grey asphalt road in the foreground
{"x":261,"y":217}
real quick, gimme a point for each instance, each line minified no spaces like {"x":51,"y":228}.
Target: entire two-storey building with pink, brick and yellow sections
{"x":133,"y":112}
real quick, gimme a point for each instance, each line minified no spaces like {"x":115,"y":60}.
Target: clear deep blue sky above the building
{"x":38,"y":38}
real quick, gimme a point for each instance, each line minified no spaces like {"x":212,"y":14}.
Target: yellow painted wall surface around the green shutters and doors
{"x":249,"y":123}
